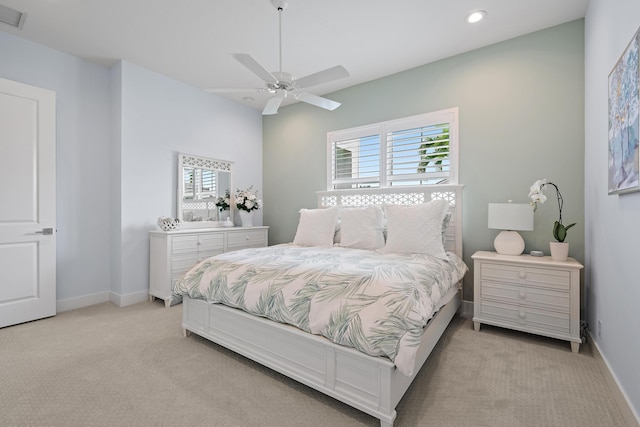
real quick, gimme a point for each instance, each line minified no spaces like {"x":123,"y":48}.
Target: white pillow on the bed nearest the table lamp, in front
{"x":416,"y":229}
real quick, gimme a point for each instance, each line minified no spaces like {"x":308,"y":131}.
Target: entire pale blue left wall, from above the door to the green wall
{"x":118,"y":134}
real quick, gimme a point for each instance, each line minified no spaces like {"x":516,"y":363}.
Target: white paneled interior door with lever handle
{"x":27,"y":203}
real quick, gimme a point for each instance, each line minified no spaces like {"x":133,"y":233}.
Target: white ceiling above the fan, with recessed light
{"x":192,"y":40}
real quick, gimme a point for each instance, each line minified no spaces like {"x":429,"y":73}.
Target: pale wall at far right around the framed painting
{"x":612,"y":238}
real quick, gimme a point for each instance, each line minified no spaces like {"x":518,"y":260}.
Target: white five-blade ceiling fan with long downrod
{"x":281,"y":84}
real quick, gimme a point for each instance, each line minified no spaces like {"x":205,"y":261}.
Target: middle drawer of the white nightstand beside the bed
{"x":526,"y":295}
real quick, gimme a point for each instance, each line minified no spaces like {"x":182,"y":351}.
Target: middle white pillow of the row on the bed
{"x":362,"y":228}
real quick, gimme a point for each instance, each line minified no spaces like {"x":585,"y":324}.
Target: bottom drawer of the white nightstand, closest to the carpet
{"x":526,"y":318}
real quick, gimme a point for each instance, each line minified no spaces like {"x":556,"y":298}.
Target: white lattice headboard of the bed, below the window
{"x":404,"y":196}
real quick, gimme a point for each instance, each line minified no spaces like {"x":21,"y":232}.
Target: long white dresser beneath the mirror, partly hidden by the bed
{"x":173,"y":253}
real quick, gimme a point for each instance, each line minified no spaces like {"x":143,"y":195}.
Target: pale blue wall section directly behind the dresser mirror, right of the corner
{"x":161,"y":117}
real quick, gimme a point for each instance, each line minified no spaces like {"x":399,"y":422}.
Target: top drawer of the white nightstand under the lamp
{"x":543,"y":277}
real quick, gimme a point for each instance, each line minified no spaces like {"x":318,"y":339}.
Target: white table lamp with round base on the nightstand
{"x":510,"y":218}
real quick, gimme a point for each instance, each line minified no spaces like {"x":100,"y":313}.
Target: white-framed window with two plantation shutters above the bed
{"x":418,"y":150}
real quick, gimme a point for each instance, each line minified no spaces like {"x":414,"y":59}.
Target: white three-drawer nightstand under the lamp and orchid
{"x":529,"y":294}
